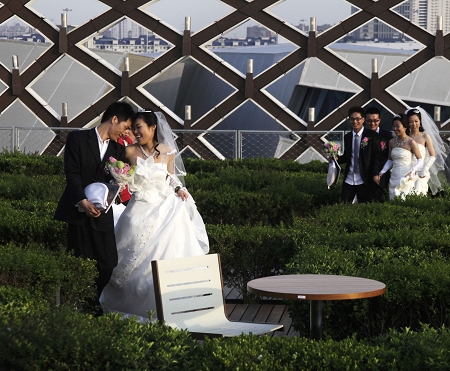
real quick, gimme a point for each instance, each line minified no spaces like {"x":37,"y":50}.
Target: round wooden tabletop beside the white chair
{"x":316,"y":287}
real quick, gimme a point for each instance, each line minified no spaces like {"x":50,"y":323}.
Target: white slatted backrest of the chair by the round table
{"x":189,"y":290}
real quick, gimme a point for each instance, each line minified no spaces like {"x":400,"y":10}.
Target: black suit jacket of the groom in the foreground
{"x":82,"y":166}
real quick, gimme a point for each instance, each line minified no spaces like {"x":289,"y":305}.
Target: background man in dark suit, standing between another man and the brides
{"x":373,"y":120}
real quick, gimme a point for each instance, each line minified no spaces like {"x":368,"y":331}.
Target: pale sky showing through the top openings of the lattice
{"x":174,"y":11}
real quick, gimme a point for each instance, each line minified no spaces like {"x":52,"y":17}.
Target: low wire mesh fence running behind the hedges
{"x":303,"y":146}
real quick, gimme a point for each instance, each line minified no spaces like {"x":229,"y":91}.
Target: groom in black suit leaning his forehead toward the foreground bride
{"x":91,"y":233}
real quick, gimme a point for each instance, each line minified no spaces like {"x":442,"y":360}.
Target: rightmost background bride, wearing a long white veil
{"x":432,"y":148}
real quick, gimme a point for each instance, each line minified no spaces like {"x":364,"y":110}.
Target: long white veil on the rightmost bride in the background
{"x":441,"y":149}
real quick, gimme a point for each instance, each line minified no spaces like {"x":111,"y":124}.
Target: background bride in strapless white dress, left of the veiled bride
{"x":401,"y":149}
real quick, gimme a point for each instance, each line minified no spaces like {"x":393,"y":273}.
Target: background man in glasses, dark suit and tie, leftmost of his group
{"x":362,"y":159}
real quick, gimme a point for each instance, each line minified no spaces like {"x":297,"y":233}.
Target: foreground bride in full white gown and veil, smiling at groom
{"x":161,"y":220}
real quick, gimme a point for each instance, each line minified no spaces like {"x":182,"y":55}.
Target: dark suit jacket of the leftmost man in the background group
{"x":369,"y":156}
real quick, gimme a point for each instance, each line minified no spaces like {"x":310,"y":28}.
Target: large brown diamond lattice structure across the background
{"x":248,"y":87}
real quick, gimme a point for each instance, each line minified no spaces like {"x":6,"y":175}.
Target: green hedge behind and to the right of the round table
{"x":403,"y":245}
